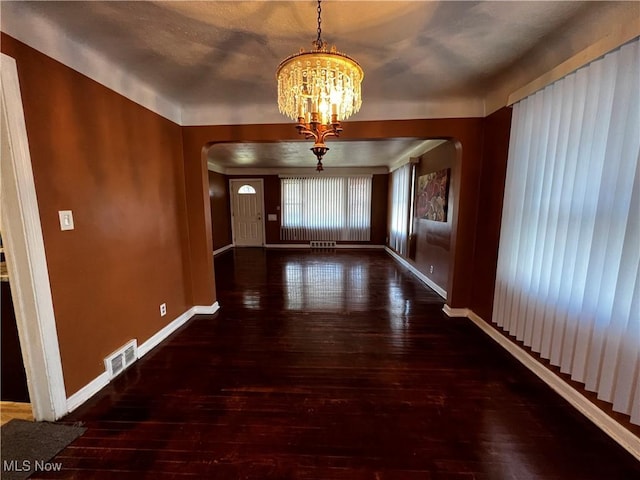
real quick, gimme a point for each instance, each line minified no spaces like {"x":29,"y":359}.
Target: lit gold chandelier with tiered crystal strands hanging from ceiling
{"x":319,"y":88}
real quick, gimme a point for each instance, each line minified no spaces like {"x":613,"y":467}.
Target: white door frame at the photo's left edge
{"x":25,"y":255}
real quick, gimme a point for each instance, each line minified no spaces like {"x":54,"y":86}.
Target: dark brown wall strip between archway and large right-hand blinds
{"x":494,"y":167}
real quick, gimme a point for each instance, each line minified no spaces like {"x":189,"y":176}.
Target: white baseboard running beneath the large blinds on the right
{"x":616,"y":431}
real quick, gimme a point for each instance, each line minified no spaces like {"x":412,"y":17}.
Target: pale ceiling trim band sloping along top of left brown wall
{"x":44,"y":36}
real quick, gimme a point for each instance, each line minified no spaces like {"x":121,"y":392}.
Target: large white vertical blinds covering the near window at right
{"x":568,"y":281}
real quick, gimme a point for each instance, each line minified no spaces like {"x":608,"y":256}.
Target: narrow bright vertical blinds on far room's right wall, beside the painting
{"x":400,"y":201}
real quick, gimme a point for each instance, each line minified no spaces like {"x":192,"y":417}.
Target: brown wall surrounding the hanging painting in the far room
{"x":433,"y":239}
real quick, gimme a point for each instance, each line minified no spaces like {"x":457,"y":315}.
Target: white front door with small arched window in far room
{"x":246,"y":212}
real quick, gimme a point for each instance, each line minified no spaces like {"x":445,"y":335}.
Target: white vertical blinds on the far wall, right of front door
{"x":326,"y":208}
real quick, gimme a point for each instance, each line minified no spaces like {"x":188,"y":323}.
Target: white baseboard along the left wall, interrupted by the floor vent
{"x":102,"y":380}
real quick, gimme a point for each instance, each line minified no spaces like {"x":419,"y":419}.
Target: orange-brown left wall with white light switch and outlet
{"x":119,"y":168}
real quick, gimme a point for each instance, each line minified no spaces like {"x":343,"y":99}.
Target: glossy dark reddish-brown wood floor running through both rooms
{"x":324,"y":365}
